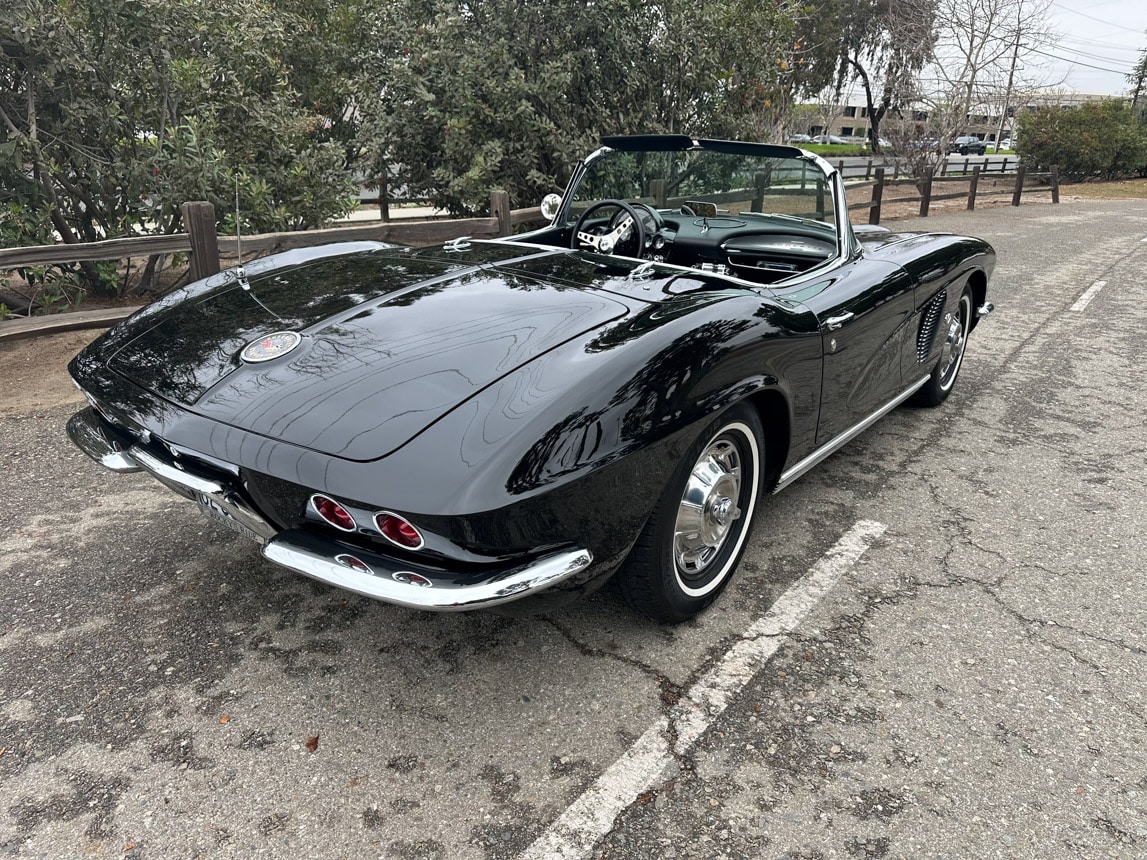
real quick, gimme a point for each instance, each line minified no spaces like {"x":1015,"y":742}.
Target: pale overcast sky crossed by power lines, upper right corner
{"x":1104,"y":34}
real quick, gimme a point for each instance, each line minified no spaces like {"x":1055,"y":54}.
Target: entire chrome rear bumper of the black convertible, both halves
{"x":326,"y":558}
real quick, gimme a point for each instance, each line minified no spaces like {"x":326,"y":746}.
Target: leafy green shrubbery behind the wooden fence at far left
{"x":116,"y":112}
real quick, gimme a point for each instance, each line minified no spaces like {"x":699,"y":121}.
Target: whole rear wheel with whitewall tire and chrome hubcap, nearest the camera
{"x":692,"y":544}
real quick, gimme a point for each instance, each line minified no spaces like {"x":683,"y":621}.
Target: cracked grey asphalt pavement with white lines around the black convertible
{"x":937,"y":646}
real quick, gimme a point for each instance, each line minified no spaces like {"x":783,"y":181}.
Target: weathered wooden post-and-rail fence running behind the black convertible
{"x":204,"y":246}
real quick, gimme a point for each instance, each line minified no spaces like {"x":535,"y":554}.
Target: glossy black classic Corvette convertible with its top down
{"x":611,"y":396}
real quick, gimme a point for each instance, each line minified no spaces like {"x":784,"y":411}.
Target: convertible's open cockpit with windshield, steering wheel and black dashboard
{"x":758,"y":213}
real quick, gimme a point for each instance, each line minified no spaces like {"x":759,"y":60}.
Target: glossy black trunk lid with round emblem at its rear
{"x":392,"y":342}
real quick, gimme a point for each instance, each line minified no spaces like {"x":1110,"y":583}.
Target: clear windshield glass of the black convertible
{"x":708,"y":183}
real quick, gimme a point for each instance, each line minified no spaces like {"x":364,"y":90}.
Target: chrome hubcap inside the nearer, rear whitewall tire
{"x":708,"y":507}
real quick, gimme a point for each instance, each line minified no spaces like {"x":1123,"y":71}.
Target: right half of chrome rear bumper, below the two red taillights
{"x":392,"y":584}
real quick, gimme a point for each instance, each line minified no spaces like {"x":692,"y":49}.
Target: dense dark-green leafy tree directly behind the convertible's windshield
{"x":459,"y":98}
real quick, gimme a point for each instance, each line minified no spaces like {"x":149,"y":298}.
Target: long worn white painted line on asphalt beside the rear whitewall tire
{"x":574,"y":835}
